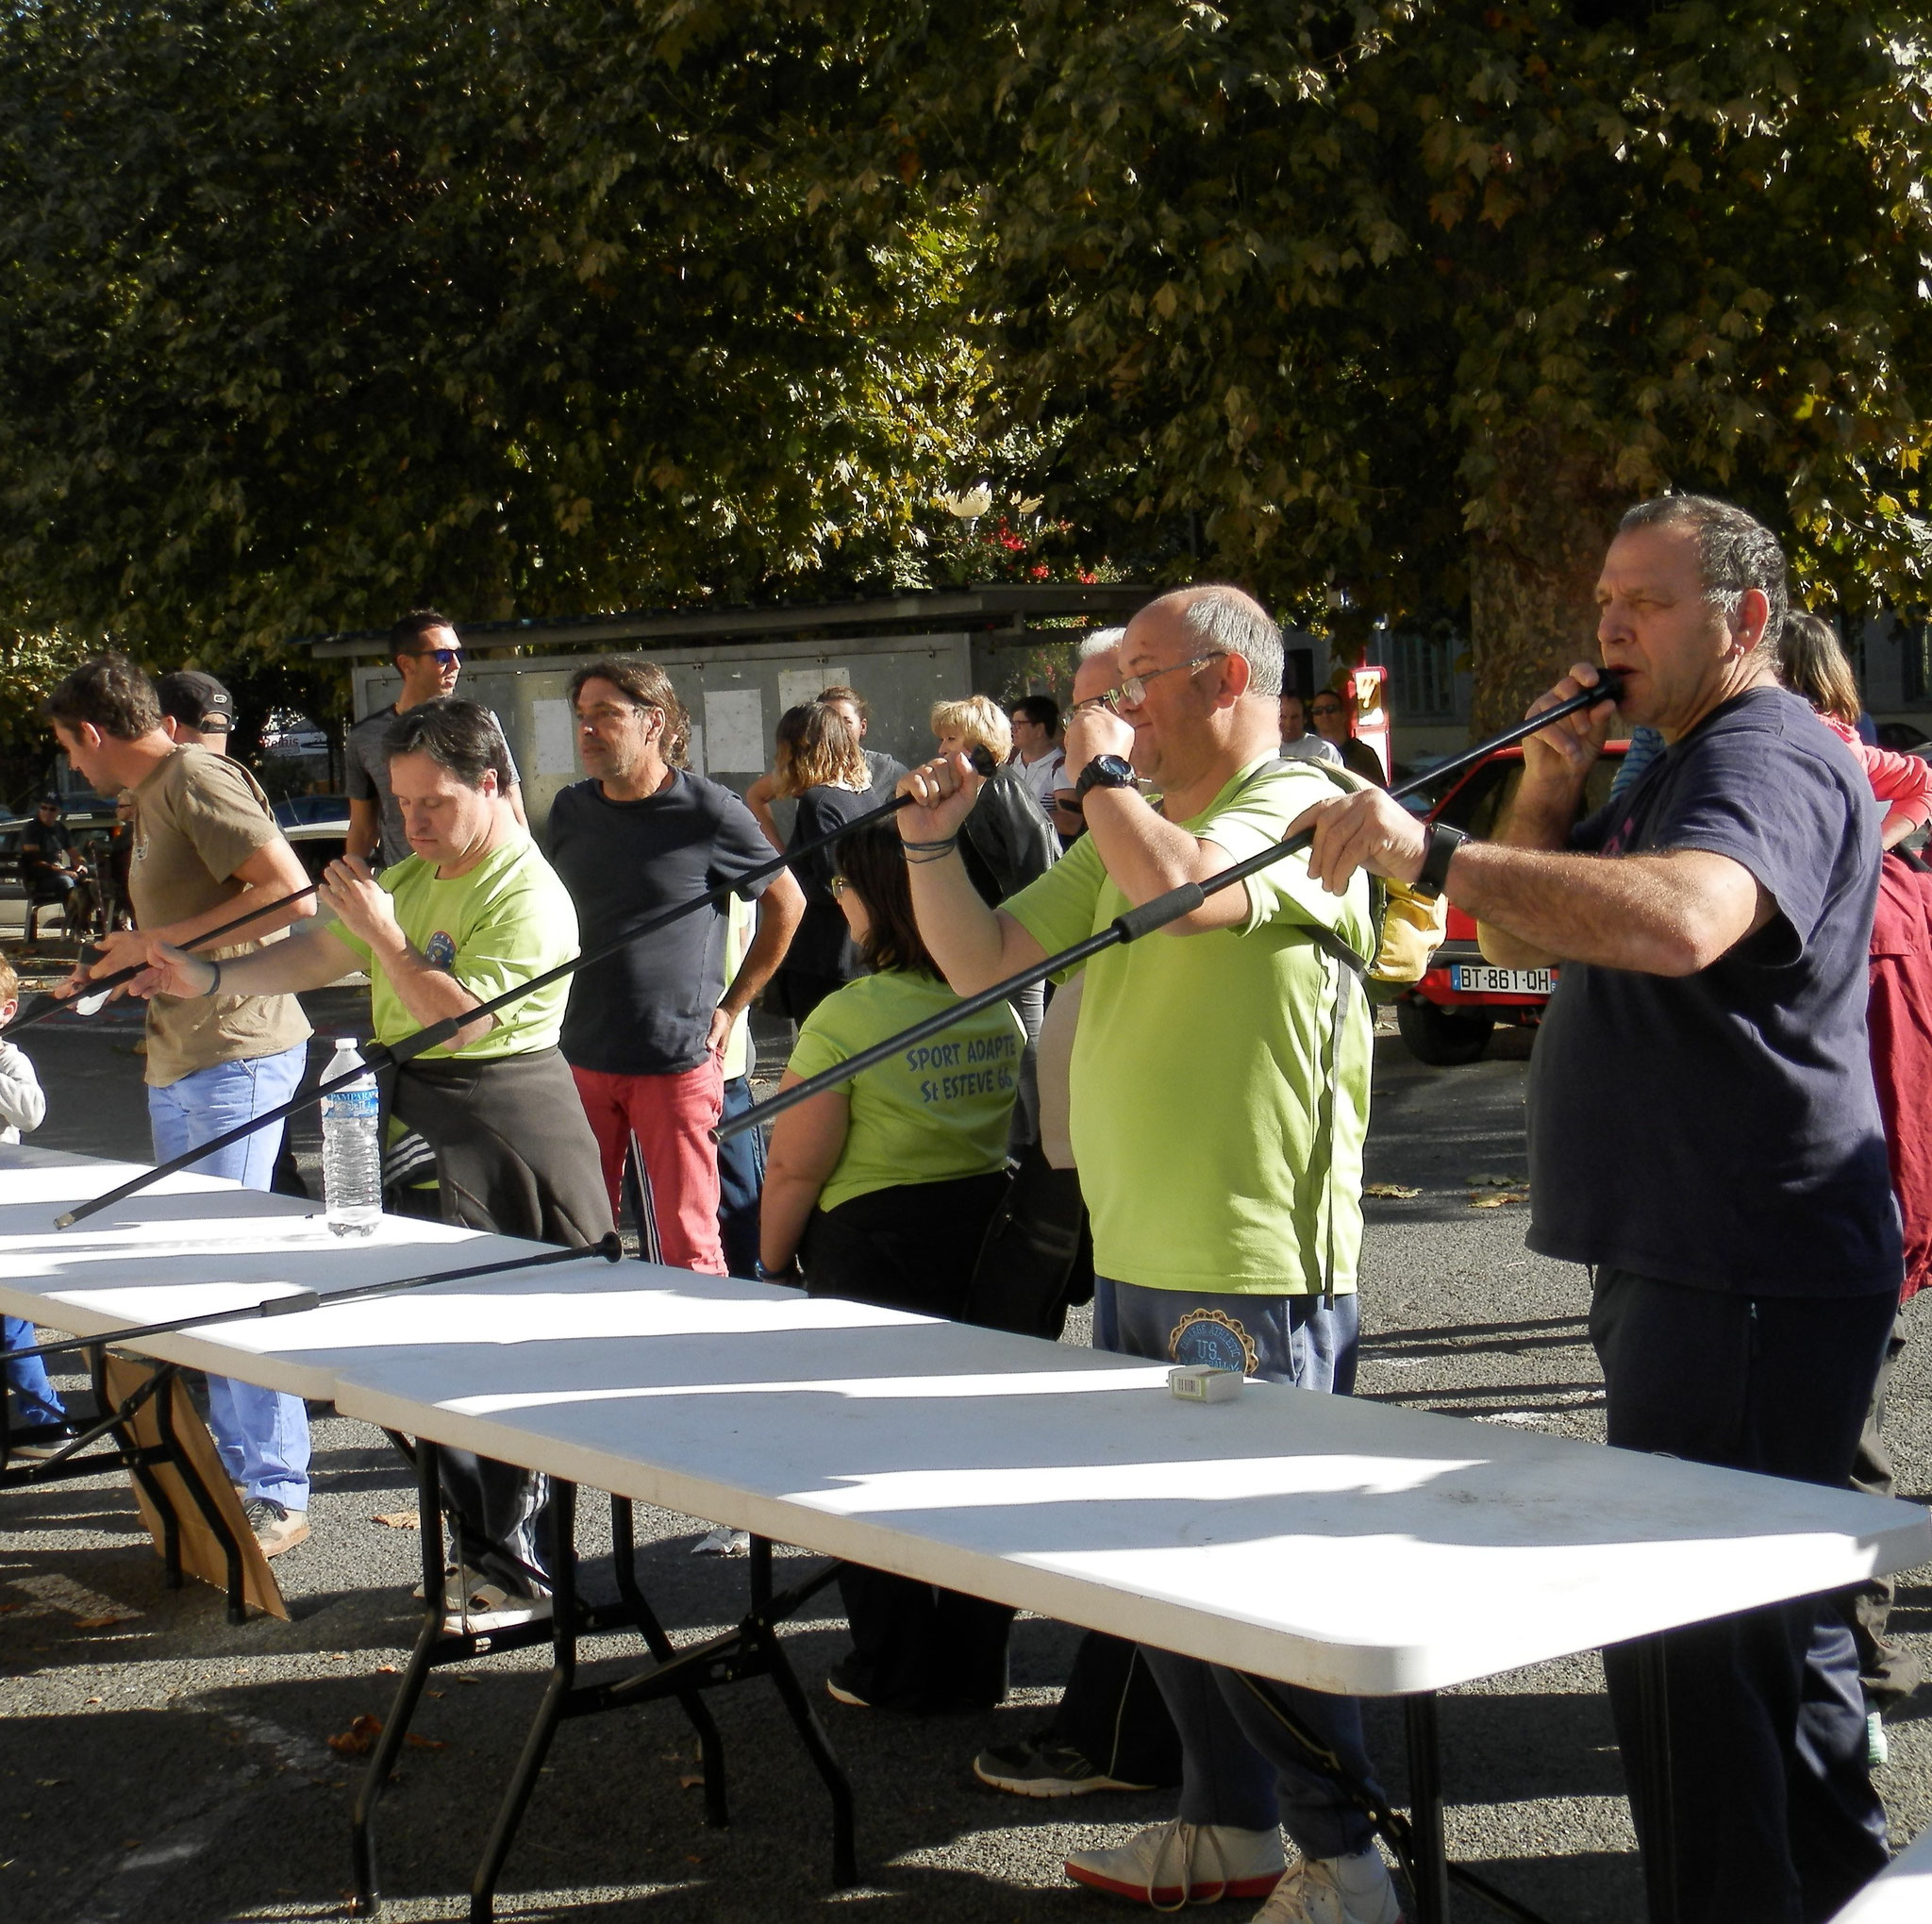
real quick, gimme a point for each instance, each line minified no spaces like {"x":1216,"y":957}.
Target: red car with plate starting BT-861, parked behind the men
{"x":1450,"y":1015}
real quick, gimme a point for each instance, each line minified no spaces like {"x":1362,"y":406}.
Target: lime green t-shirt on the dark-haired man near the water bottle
{"x":503,"y":922}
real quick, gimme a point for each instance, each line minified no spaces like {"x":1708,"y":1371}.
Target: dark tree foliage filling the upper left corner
{"x":316,"y":310}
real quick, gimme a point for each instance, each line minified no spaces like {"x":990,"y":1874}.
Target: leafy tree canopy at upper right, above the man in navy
{"x":1406,"y":298}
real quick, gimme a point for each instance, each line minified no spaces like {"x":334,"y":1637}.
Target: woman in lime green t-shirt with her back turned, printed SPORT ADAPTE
{"x":882,"y":1191}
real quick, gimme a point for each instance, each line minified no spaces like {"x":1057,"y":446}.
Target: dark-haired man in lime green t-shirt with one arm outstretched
{"x":472,"y":913}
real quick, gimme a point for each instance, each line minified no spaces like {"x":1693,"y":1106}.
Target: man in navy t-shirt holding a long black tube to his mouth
{"x":1705,"y":1135}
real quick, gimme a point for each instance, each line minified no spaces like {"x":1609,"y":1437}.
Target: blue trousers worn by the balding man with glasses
{"x":1239,"y":1767}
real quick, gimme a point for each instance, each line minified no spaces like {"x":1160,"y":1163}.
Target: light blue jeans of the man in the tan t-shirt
{"x":262,"y":1434}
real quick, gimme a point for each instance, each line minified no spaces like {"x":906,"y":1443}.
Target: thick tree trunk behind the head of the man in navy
{"x":1533,"y":571}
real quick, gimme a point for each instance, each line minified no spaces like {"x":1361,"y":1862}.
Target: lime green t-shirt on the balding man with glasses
{"x":1201,"y":1067}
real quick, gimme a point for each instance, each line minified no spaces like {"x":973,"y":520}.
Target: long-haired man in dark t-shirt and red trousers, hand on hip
{"x":646,"y":1029}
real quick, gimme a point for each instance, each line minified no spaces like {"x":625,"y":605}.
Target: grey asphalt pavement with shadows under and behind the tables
{"x":165,"y":1767}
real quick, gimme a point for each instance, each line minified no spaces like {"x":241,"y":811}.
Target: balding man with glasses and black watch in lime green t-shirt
{"x":1220,"y":1102}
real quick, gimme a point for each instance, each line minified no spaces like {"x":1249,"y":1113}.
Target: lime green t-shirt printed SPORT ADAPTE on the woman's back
{"x":934,"y":1112}
